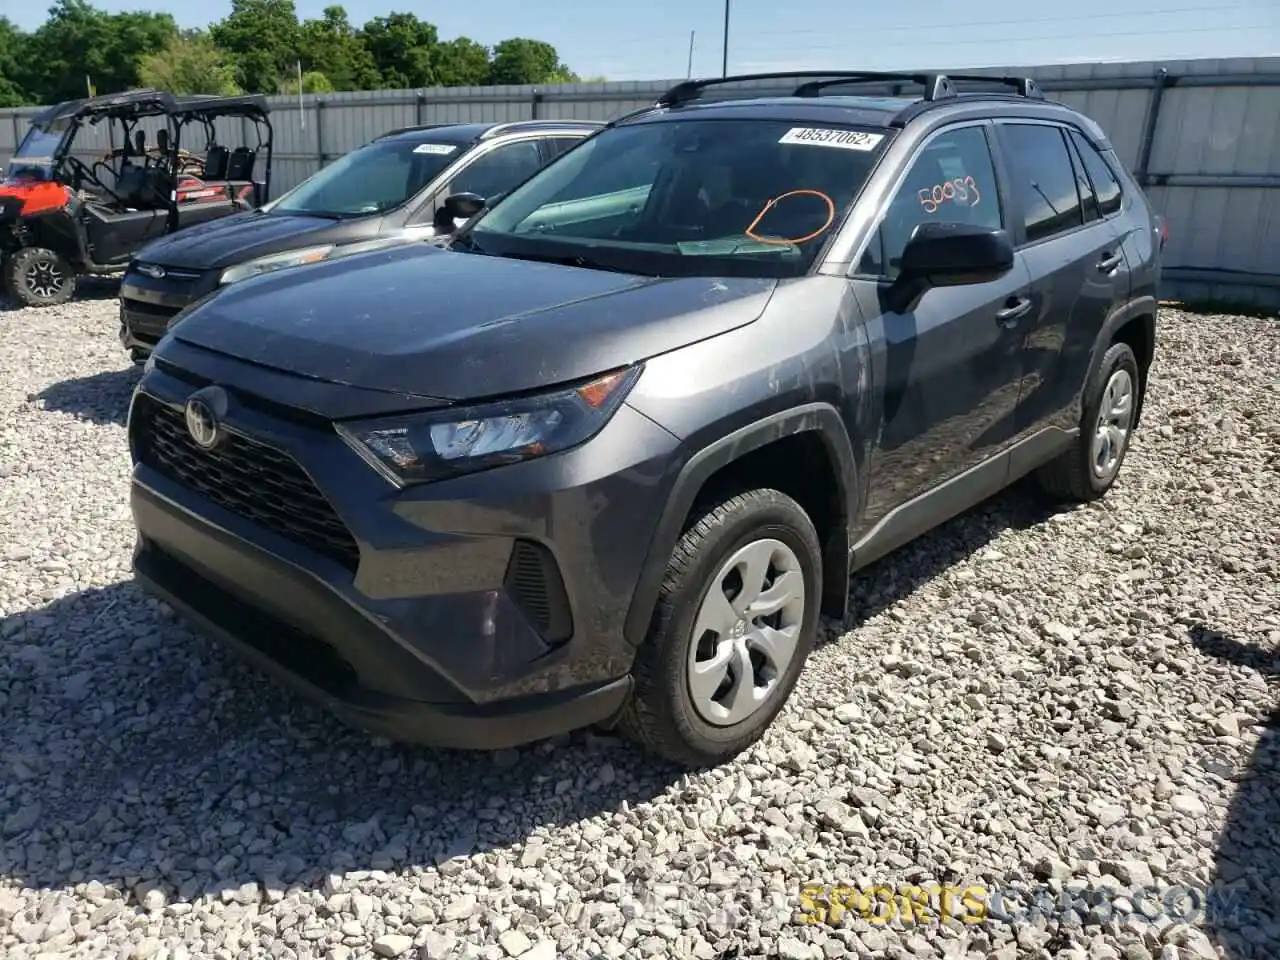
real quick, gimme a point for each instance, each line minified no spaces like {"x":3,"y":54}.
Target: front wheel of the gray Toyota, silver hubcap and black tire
{"x":734,"y":625}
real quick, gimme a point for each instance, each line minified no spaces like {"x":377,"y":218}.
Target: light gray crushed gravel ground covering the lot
{"x":1072,"y":706}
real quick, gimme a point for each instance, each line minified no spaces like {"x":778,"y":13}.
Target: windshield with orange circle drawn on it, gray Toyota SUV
{"x":688,"y":198}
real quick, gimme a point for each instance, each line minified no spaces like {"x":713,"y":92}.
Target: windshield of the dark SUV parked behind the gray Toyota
{"x":371,"y":180}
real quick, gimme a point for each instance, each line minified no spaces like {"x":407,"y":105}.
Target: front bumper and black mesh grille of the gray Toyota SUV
{"x":478,"y":612}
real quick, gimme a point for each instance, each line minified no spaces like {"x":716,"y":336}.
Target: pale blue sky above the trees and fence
{"x":651,"y":40}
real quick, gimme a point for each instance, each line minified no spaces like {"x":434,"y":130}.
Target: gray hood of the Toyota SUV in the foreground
{"x":452,"y":326}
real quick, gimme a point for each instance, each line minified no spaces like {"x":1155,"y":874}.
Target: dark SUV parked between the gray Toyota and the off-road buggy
{"x":388,"y":191}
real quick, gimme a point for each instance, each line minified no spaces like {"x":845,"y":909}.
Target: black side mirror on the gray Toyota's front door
{"x":950,"y":255}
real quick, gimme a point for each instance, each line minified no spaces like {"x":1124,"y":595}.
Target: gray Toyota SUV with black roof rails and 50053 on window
{"x":607,"y":456}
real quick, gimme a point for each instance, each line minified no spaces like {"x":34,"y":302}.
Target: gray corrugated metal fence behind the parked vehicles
{"x":1203,"y":136}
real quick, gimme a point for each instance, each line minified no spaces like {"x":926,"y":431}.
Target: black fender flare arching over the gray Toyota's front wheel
{"x":817,"y":418}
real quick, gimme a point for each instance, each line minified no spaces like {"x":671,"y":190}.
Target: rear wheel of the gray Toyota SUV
{"x":1091,"y":467}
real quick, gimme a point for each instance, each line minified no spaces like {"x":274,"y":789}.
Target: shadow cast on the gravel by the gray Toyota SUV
{"x":139,"y":756}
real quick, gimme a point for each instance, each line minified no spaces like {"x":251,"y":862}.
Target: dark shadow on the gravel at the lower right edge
{"x":1244,"y":913}
